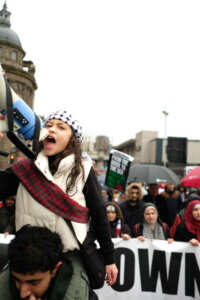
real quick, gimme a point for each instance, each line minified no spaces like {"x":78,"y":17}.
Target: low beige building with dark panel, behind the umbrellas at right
{"x":147,"y":148}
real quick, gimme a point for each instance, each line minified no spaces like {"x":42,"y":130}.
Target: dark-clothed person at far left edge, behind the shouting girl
{"x":7,"y":216}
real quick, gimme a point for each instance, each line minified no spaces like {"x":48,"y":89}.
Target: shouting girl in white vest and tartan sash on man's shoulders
{"x":61,"y":184}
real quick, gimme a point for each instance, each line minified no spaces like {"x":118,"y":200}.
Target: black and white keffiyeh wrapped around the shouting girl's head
{"x":64,"y":116}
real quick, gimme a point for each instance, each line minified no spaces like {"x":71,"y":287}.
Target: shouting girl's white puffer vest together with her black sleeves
{"x":29,"y":211}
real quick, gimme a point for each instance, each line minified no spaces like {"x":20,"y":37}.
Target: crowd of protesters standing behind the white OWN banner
{"x":165,"y":212}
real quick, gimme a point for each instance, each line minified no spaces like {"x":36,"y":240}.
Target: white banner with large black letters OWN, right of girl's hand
{"x":154,"y":270}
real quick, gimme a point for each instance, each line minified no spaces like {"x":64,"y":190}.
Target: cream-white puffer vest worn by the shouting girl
{"x":29,"y":211}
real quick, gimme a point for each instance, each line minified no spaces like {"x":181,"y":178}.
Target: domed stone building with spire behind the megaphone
{"x":19,"y":72}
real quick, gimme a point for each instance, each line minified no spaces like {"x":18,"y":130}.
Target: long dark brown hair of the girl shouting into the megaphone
{"x":74,"y":147}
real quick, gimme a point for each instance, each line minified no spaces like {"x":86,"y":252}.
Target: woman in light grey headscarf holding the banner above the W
{"x":151,"y":226}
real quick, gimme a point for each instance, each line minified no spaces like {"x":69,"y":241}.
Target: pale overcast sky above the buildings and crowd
{"x":116,"y":65}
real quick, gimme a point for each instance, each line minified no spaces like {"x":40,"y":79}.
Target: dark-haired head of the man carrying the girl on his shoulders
{"x":34,"y":259}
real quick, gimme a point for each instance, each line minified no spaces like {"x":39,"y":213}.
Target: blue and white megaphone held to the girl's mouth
{"x":20,"y":122}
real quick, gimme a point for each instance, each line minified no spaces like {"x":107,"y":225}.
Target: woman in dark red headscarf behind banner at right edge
{"x":189,"y":229}
